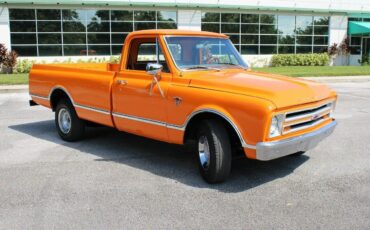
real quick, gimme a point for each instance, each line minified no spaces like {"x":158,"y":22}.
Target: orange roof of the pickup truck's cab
{"x":177,"y":32}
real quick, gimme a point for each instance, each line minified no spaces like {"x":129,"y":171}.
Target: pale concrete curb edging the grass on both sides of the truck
{"x":24,"y":88}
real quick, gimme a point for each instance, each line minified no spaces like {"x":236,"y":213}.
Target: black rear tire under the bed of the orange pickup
{"x":77,"y":126}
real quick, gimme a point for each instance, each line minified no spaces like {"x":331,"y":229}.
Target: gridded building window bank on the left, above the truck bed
{"x":80,"y":32}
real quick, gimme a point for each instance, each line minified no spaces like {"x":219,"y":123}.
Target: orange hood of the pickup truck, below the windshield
{"x":280,"y":90}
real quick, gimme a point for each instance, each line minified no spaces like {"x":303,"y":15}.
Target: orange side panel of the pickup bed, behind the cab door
{"x":88,"y":90}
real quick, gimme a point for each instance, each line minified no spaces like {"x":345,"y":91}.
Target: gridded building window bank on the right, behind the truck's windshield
{"x":270,"y":33}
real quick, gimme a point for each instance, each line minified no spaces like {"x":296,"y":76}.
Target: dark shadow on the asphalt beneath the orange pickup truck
{"x":162,"y":159}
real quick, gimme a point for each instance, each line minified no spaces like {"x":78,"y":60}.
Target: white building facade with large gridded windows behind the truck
{"x":258,"y":28}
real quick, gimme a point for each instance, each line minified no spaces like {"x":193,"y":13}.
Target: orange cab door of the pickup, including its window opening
{"x":139,"y":102}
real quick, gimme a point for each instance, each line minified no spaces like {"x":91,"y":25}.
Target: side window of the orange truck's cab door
{"x":144,"y":52}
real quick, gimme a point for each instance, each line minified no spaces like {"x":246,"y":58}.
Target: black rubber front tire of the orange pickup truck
{"x":219,"y":164}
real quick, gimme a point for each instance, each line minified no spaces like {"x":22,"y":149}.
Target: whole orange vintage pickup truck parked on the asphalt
{"x":179,"y":86}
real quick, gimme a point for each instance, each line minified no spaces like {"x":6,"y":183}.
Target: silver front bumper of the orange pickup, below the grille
{"x":271,"y":150}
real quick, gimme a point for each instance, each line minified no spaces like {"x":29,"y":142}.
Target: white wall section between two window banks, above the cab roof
{"x":189,"y":19}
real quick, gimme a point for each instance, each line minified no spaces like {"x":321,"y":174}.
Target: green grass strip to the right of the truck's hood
{"x":316,"y":71}
